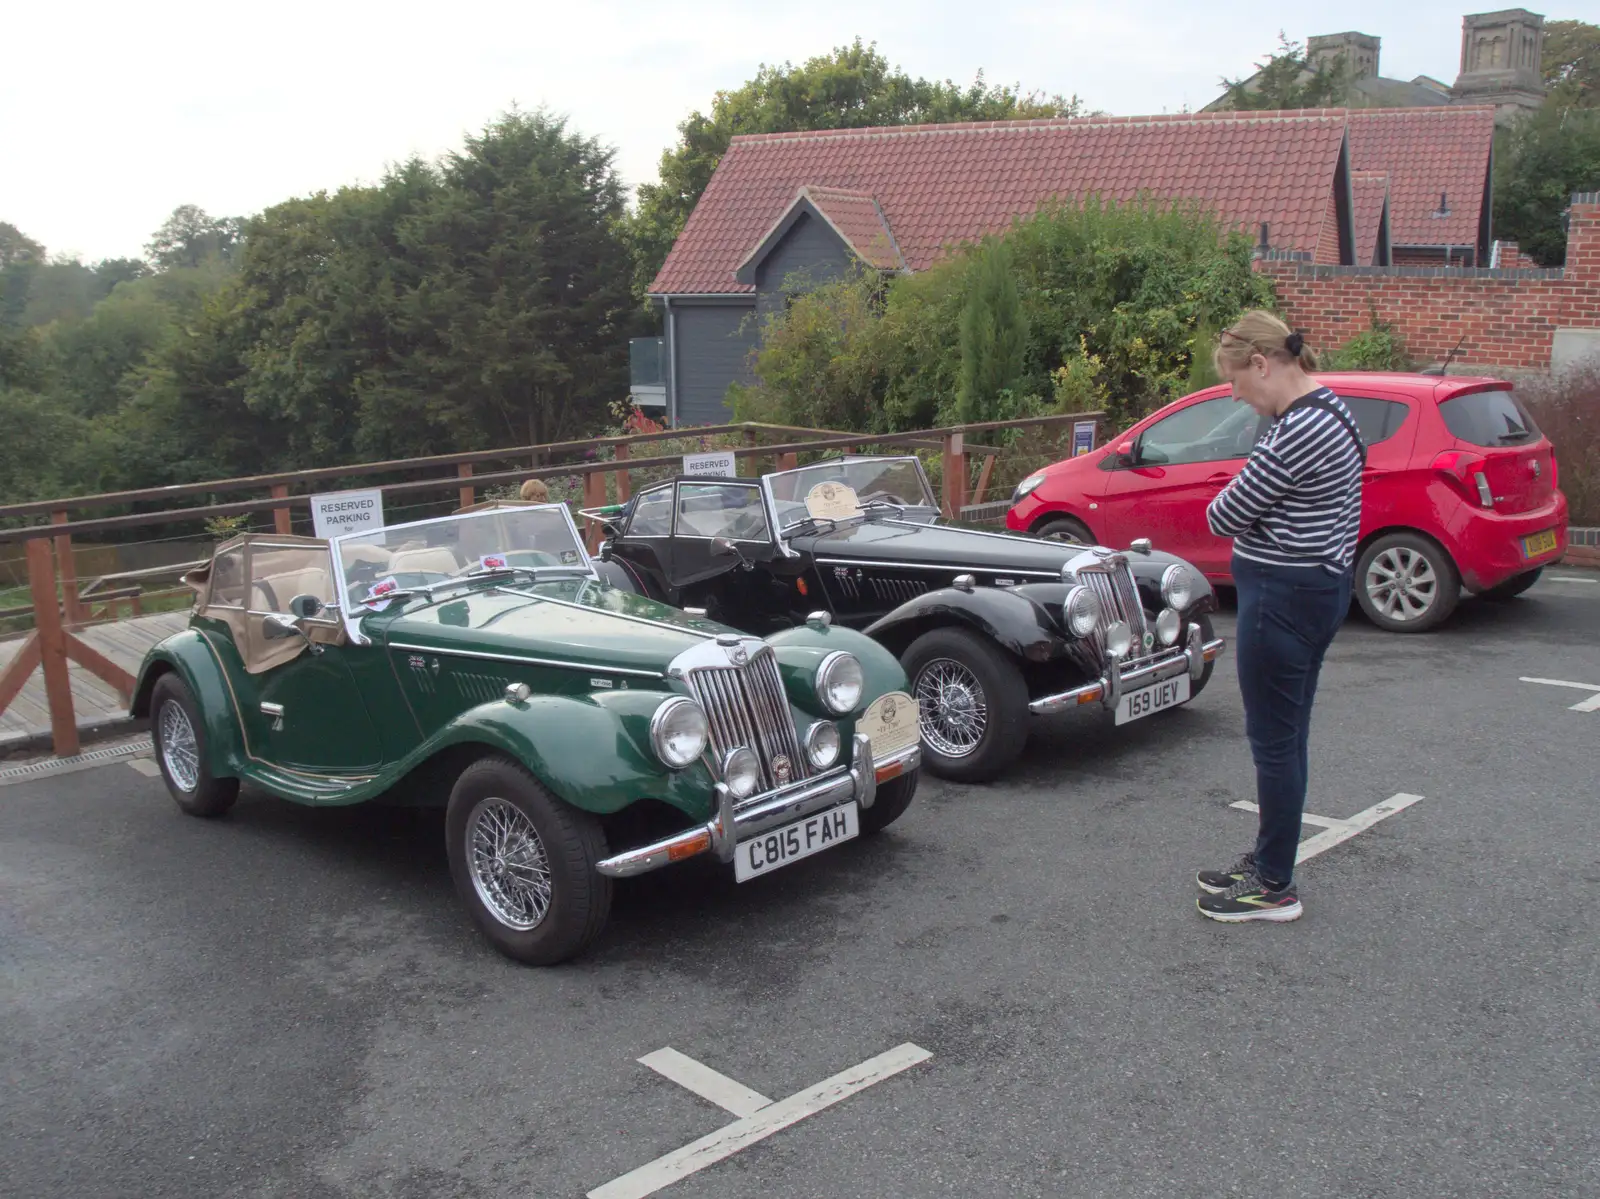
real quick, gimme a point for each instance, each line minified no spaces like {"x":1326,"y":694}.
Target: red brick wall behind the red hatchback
{"x":1508,"y":316}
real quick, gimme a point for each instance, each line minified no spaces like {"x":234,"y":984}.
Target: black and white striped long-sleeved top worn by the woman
{"x":1298,"y":500}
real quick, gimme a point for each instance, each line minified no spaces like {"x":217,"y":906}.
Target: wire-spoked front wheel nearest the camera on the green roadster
{"x":524,"y":864}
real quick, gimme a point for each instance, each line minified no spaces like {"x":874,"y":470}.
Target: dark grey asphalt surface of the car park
{"x":290,"y":1003}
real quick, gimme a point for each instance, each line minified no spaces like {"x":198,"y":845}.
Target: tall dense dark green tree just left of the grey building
{"x":524,"y":308}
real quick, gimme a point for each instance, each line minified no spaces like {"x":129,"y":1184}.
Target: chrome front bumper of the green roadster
{"x":743,"y":820}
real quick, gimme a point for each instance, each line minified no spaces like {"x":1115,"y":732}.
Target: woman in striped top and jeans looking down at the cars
{"x":1295,"y":515}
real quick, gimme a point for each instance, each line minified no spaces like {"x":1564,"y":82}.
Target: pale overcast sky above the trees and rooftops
{"x":113,"y":114}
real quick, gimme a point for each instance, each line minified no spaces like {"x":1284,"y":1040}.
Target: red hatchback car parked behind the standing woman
{"x":1460,"y":491}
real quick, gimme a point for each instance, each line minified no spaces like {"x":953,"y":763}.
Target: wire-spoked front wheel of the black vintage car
{"x":972,"y":705}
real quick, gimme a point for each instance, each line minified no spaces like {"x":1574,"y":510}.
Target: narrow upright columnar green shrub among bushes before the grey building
{"x":994,"y":337}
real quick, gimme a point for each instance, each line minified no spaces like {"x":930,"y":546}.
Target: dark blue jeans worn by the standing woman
{"x":1287,"y":619}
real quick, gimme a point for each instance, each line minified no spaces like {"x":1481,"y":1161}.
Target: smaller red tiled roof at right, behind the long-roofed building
{"x":1428,"y":153}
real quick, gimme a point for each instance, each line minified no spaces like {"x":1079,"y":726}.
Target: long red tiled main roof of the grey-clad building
{"x":942,"y":185}
